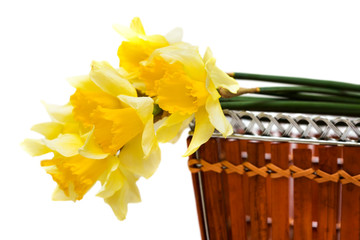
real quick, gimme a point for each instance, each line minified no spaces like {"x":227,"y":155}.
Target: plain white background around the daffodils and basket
{"x":43,"y":42}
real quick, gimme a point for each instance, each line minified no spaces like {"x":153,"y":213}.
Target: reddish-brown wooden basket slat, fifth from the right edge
{"x":257,"y":193}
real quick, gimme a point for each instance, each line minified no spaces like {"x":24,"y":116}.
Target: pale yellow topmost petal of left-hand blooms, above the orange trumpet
{"x":109,"y":80}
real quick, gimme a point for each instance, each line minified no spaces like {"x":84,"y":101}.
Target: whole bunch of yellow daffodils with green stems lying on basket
{"x":110,"y":129}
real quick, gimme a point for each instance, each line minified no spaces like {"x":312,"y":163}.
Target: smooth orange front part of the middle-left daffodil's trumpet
{"x":115,"y":127}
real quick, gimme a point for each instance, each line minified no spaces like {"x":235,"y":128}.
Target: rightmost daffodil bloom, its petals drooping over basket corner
{"x":185,"y":85}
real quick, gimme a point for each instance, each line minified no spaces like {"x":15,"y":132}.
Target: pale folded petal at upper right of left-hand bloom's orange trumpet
{"x":142,"y":105}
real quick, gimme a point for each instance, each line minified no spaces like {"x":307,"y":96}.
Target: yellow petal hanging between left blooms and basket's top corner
{"x":172,"y":126}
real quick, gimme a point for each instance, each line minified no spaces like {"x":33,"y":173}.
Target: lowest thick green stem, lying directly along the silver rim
{"x":274,"y":105}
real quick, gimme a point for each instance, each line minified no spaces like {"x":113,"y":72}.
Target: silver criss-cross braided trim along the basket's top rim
{"x":298,"y":128}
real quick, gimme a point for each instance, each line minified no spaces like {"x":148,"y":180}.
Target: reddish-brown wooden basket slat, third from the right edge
{"x":302,"y":197}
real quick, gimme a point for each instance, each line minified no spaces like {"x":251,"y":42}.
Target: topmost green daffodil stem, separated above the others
{"x":297,"y":81}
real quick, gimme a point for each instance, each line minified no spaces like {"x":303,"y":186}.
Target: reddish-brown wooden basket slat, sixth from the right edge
{"x":234,"y":193}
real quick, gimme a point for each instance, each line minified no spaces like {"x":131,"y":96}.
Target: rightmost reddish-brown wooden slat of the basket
{"x":350,"y":207}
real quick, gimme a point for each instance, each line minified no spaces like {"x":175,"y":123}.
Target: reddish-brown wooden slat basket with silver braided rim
{"x":279,"y":177}
